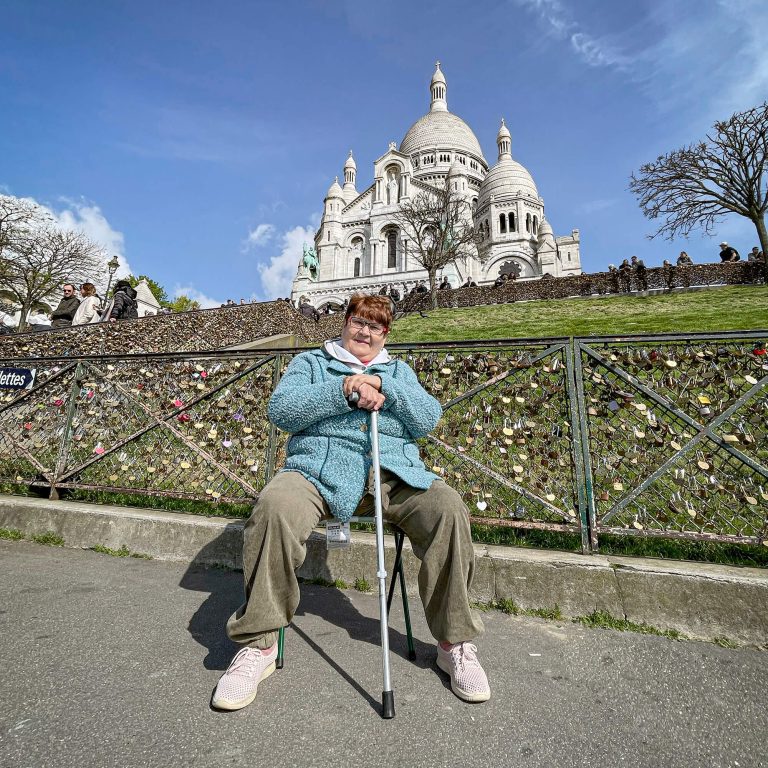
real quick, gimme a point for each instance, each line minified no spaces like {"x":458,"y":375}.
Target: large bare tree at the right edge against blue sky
{"x":698,"y":184}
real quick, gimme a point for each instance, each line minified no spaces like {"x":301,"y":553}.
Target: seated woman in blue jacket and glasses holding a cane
{"x":328,"y":472}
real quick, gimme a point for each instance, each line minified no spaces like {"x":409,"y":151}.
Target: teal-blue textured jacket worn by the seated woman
{"x":330,"y":443}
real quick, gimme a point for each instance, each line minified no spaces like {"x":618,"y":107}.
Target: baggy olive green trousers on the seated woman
{"x":435,"y":520}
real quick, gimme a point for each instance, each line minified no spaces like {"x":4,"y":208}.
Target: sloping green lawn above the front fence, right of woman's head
{"x":715,"y":309}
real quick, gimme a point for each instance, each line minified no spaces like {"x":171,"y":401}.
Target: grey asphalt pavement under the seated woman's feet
{"x":111,"y":662}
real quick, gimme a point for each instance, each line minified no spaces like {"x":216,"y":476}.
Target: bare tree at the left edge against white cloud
{"x":36,"y":258}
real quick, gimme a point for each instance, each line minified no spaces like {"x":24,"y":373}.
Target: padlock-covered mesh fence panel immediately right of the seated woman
{"x":505,"y":439}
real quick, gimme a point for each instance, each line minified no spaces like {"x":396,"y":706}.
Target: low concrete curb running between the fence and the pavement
{"x":701,"y":600}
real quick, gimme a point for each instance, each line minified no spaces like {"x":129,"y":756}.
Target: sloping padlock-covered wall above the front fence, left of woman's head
{"x":198,"y":331}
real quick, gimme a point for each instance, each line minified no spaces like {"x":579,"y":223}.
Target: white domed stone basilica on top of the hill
{"x":360,"y":246}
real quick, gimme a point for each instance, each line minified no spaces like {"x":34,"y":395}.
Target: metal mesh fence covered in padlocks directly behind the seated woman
{"x":643,"y":436}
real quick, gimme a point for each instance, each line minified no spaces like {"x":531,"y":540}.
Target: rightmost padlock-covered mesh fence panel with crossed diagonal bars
{"x":675,"y":439}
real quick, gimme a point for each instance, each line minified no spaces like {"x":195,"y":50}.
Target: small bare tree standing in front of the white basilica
{"x":439,"y":223}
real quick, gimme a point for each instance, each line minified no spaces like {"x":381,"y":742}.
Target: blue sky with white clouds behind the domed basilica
{"x":197,"y":140}
